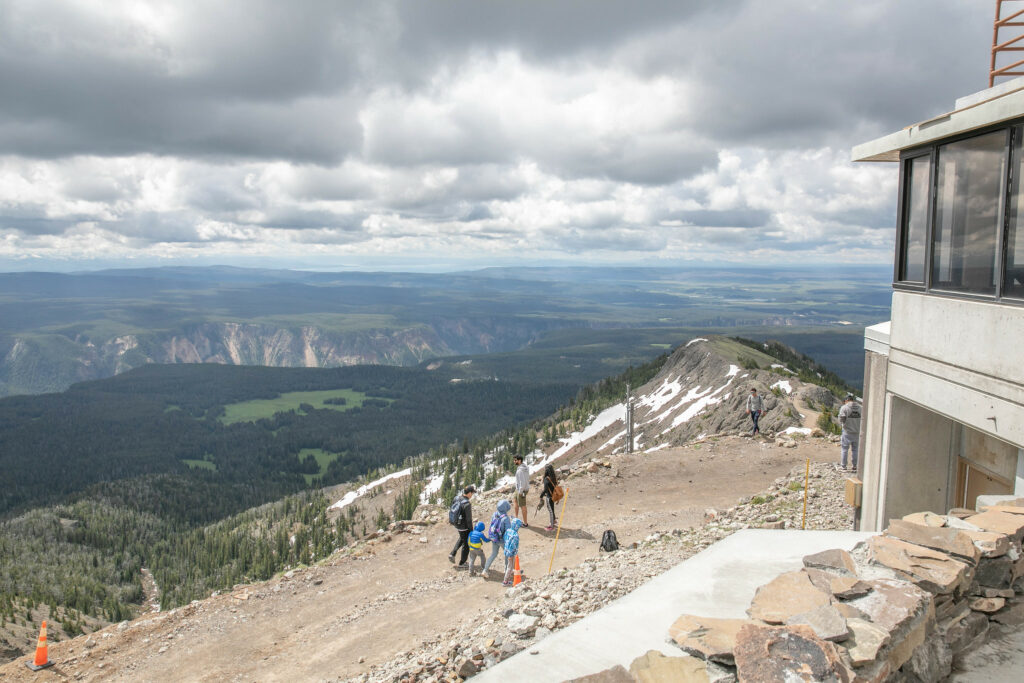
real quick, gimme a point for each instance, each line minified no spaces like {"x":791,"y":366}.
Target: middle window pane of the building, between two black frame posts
{"x":967,"y":214}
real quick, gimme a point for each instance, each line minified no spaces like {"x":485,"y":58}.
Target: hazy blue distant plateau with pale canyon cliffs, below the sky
{"x":60,"y":329}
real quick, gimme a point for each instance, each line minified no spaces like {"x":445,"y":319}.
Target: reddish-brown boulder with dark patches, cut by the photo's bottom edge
{"x":788,"y":654}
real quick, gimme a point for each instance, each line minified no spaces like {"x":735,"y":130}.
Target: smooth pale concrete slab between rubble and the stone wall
{"x":718,"y":582}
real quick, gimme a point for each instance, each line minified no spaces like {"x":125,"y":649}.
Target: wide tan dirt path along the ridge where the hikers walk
{"x":336,"y":620}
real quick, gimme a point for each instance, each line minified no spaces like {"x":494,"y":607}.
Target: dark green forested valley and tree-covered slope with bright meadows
{"x":169,"y":468}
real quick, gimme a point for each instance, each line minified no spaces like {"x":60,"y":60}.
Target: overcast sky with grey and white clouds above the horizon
{"x":435,"y":135}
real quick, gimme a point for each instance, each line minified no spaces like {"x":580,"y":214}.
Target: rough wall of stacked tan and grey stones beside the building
{"x":900,"y":608}
